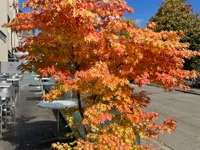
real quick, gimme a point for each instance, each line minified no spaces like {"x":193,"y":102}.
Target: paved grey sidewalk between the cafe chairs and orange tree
{"x":33,"y":124}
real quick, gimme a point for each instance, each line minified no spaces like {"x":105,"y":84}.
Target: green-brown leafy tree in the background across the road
{"x":175,"y":15}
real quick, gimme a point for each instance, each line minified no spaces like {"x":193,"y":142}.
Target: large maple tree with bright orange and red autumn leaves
{"x":93,"y":52}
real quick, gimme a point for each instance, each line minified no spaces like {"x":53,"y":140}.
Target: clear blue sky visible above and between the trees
{"x":144,"y":9}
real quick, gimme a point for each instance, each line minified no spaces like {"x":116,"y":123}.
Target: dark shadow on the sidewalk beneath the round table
{"x":27,"y":134}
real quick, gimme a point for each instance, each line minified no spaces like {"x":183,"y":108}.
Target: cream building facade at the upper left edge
{"x":8,"y":39}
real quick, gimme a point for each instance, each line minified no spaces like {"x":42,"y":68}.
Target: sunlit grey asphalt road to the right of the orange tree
{"x":185,"y":109}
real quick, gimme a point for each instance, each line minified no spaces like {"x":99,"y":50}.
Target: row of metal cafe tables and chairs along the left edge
{"x":9,"y":93}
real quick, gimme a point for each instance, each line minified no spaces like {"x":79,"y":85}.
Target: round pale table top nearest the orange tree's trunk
{"x":57,"y":104}
